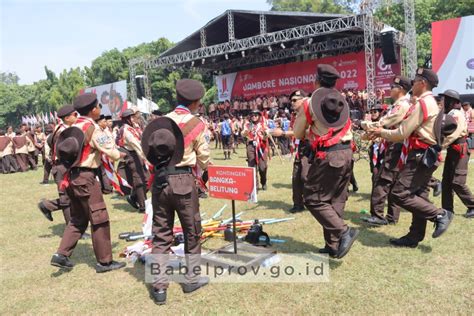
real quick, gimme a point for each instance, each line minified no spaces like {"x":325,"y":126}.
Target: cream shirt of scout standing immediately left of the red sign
{"x":197,"y":149}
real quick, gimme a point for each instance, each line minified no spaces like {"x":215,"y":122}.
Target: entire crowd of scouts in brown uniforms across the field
{"x":167,"y":157}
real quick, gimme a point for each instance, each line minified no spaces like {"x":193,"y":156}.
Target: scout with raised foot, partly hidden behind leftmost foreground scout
{"x":68,"y":116}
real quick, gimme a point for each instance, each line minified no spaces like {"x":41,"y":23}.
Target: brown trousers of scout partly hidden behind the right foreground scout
{"x":383,"y":185}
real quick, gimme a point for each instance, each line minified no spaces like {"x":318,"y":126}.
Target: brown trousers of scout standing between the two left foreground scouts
{"x":132,"y":169}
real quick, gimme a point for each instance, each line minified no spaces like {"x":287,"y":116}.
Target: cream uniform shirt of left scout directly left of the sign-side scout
{"x":99,"y":143}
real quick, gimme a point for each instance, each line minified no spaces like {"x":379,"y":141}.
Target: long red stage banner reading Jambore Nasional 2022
{"x":283,"y":79}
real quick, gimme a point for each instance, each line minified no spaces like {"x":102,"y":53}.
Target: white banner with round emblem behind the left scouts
{"x":114,"y":95}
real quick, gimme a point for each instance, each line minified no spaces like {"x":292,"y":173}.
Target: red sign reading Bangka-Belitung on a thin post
{"x":232,"y":183}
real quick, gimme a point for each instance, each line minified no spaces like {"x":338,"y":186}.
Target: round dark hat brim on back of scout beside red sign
{"x":169,"y":124}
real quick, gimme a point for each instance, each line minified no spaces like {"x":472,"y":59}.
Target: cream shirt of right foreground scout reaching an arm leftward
{"x":415,"y":123}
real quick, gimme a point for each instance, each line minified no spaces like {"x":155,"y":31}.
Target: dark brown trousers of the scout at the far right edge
{"x":454,"y":179}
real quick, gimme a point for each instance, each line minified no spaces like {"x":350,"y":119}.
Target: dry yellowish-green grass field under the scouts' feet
{"x":437,"y":277}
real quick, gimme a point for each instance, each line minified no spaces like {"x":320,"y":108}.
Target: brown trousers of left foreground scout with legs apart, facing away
{"x":87,"y":204}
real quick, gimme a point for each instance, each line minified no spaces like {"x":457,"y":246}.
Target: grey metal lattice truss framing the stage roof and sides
{"x":208,"y":58}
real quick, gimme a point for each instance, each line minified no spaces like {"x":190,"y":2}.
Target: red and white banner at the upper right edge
{"x":453,"y":54}
